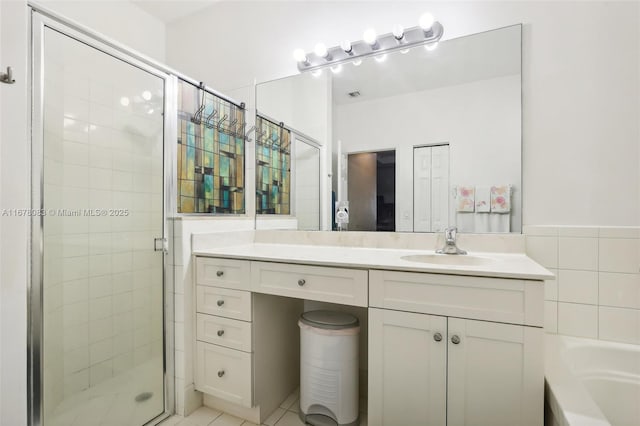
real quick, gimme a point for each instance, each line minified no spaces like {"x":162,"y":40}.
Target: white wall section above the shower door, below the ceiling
{"x":119,"y":20}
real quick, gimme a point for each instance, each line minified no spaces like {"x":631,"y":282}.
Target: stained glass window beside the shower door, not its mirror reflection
{"x":210,"y":153}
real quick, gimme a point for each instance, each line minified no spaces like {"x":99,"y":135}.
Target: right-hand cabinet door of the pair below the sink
{"x":495,"y":374}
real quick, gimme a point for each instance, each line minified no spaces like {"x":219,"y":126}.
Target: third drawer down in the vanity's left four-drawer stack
{"x":234,"y":334}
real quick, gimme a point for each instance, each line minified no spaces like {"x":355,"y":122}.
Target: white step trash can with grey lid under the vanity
{"x":328,"y":368}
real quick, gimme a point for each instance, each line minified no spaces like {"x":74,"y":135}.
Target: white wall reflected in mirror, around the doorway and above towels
{"x":479,"y":120}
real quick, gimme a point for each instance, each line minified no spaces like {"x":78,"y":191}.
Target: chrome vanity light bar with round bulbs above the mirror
{"x":385,"y":43}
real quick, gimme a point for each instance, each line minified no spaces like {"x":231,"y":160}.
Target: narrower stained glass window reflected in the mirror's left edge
{"x":273,"y":168}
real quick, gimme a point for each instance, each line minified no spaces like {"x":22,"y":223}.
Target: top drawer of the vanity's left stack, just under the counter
{"x":226,"y":273}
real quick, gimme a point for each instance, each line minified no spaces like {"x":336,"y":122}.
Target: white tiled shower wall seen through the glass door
{"x":100,"y":276}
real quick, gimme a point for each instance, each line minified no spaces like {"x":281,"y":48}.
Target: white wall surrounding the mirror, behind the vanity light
{"x":580,"y":126}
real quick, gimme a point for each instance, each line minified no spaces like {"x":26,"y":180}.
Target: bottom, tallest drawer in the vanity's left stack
{"x":224,"y":373}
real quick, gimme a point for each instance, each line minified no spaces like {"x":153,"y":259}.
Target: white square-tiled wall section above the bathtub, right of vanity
{"x":596,"y":293}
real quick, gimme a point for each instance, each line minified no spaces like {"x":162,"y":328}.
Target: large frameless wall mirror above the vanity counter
{"x":415,"y":140}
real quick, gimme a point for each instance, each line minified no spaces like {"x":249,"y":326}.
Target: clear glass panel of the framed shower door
{"x":102,"y":189}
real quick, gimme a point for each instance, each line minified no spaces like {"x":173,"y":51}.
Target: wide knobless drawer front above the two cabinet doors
{"x":490,"y":299}
